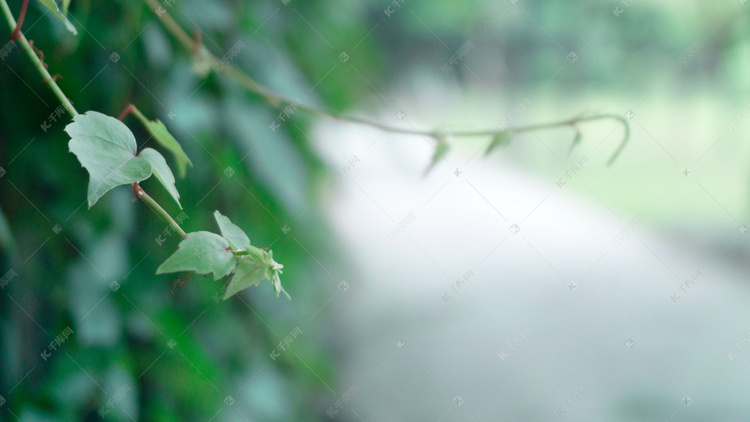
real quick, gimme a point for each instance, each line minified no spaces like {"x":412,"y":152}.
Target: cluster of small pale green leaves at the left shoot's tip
{"x":231,"y":253}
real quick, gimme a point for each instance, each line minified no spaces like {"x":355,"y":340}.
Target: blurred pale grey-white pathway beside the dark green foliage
{"x":483,"y":293}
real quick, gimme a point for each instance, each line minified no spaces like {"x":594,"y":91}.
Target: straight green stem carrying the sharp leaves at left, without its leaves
{"x":137,"y":190}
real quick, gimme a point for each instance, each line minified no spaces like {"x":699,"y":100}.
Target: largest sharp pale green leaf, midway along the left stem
{"x":107,"y":149}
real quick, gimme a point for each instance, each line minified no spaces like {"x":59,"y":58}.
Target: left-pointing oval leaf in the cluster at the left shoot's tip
{"x":202,"y":252}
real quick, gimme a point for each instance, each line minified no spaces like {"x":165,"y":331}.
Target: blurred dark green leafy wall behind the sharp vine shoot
{"x":128,"y":347}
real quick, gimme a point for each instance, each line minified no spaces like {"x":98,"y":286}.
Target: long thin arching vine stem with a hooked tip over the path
{"x":276,"y":100}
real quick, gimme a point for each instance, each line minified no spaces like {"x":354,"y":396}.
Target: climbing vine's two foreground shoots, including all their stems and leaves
{"x":107,"y":149}
